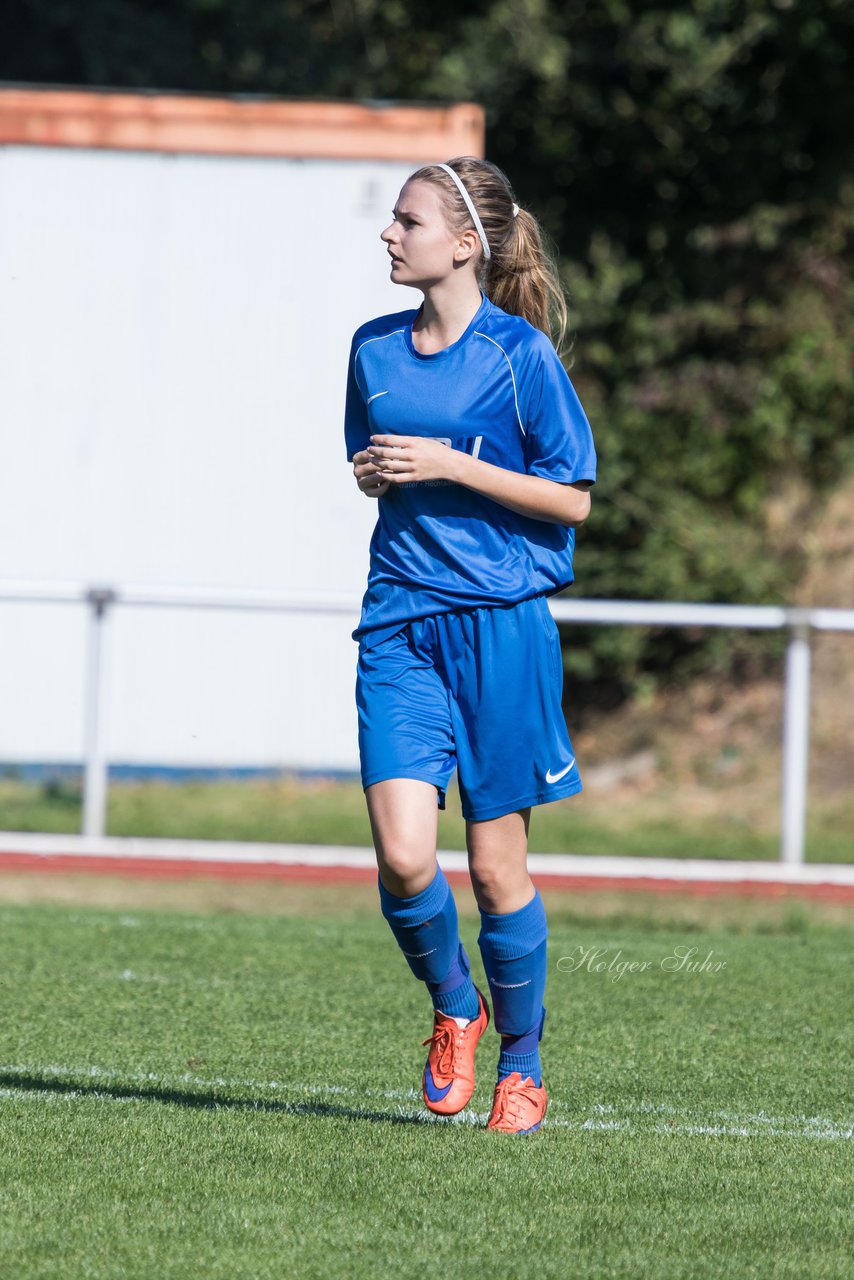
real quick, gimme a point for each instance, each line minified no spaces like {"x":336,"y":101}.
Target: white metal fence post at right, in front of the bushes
{"x":796,"y":740}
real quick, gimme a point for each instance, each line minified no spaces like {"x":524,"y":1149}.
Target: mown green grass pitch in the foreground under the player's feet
{"x":193,"y":1085}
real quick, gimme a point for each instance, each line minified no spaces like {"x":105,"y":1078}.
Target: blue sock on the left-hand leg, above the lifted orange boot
{"x":426,"y":927}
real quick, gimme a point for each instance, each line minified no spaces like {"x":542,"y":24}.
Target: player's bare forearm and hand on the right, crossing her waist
{"x":407,"y":459}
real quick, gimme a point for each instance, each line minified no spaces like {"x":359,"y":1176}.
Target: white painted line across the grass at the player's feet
{"x":633,"y":1118}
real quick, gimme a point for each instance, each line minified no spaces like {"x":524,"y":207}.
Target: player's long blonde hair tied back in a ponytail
{"x":520,"y":277}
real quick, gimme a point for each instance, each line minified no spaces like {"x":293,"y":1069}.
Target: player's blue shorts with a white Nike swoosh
{"x":478,"y":691}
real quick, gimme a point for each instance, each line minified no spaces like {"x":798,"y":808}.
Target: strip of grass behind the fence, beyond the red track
{"x":666,"y":824}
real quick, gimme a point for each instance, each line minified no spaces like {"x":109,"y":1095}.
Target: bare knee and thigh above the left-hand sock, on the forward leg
{"x":404,"y":817}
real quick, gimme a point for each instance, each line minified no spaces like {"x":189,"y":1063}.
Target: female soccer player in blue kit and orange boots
{"x":463,"y":422}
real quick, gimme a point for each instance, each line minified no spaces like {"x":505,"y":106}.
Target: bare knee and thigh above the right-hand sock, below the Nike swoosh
{"x":497,"y":862}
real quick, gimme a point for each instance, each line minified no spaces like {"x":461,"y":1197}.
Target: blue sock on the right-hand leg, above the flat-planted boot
{"x":514,"y":954}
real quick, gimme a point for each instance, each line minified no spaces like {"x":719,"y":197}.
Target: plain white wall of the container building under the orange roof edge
{"x":173,"y":344}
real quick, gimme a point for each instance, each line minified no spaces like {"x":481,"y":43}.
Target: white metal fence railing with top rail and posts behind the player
{"x":800,"y":625}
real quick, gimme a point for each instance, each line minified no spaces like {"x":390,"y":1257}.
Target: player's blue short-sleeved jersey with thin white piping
{"x":500,"y":394}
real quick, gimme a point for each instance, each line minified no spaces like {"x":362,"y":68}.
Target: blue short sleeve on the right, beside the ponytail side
{"x":559,"y":442}
